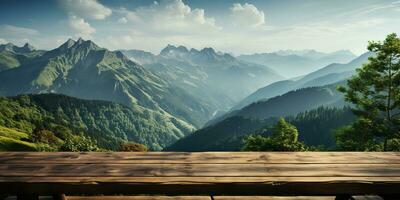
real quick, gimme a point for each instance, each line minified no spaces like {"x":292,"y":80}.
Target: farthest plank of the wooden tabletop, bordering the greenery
{"x":203,"y":157}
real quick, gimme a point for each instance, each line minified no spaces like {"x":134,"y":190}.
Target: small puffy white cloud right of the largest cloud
{"x":247,"y":15}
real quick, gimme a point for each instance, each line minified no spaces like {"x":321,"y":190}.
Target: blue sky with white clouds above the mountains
{"x":233,"y":26}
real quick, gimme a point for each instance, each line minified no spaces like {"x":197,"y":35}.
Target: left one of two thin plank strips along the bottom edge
{"x":138,"y":198}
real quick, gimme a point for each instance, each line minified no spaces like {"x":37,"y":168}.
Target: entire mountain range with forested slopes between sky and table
{"x":158,"y":99}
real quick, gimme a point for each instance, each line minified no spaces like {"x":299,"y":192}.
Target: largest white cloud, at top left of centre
{"x":170,"y":17}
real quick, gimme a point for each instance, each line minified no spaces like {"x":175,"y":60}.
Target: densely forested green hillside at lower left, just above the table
{"x":52,"y":122}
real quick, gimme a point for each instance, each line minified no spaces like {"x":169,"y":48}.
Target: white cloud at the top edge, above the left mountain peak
{"x":90,"y":9}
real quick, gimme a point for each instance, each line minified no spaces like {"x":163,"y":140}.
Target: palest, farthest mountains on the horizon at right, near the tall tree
{"x":292,"y":63}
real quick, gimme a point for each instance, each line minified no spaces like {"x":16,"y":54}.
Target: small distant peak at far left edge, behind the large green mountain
{"x":12,"y":56}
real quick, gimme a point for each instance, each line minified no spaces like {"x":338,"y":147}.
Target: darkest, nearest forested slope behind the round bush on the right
{"x":314,"y":126}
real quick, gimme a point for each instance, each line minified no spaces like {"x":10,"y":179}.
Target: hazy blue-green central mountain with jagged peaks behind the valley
{"x":219,"y":79}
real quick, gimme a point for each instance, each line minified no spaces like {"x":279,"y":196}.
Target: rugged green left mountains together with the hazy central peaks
{"x":155,"y":92}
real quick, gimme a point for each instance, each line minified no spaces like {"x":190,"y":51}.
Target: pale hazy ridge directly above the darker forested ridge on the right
{"x":327,"y":75}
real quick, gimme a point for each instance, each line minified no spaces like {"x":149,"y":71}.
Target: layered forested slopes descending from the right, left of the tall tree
{"x":311,"y":102}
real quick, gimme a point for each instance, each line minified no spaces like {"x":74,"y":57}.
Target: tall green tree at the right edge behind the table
{"x":375,"y":92}
